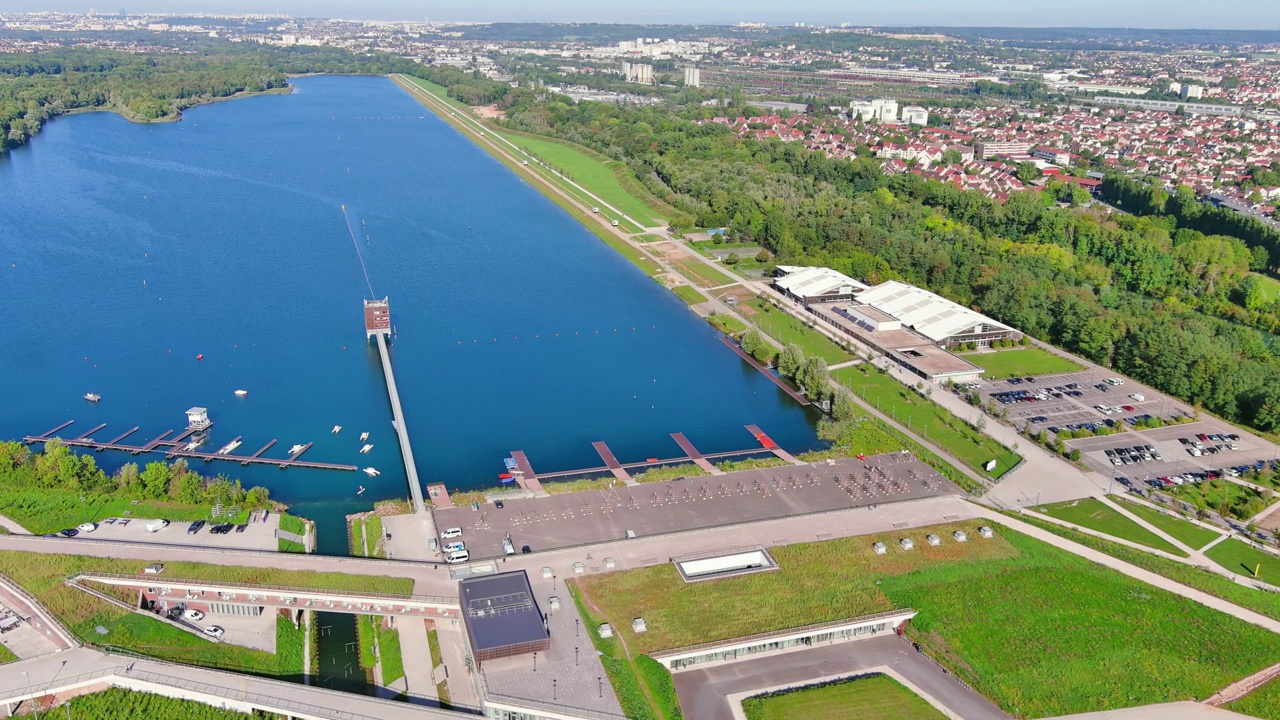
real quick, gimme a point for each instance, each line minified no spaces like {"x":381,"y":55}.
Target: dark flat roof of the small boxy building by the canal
{"x":500,"y":610}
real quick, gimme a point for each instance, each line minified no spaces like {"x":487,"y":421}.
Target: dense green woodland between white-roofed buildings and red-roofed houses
{"x":1168,"y":304}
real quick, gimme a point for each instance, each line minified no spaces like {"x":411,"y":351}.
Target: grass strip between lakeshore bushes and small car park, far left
{"x":48,"y":511}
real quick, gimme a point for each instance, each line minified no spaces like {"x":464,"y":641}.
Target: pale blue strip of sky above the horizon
{"x":1255,"y":15}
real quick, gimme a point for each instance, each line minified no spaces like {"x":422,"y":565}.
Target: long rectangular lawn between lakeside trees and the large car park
{"x":927,"y":418}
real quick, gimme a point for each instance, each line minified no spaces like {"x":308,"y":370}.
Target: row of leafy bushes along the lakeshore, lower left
{"x":61,"y":470}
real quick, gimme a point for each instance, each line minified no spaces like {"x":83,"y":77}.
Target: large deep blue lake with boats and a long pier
{"x":126,"y":250}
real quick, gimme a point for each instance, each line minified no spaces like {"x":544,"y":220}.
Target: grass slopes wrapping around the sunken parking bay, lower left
{"x":43,"y":577}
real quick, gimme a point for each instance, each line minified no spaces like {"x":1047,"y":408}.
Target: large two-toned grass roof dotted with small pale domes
{"x":1003,"y":614}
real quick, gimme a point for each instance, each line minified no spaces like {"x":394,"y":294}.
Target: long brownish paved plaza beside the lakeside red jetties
{"x":708,"y":502}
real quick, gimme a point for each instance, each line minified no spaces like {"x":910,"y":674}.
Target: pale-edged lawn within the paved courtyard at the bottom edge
{"x":871,"y":698}
